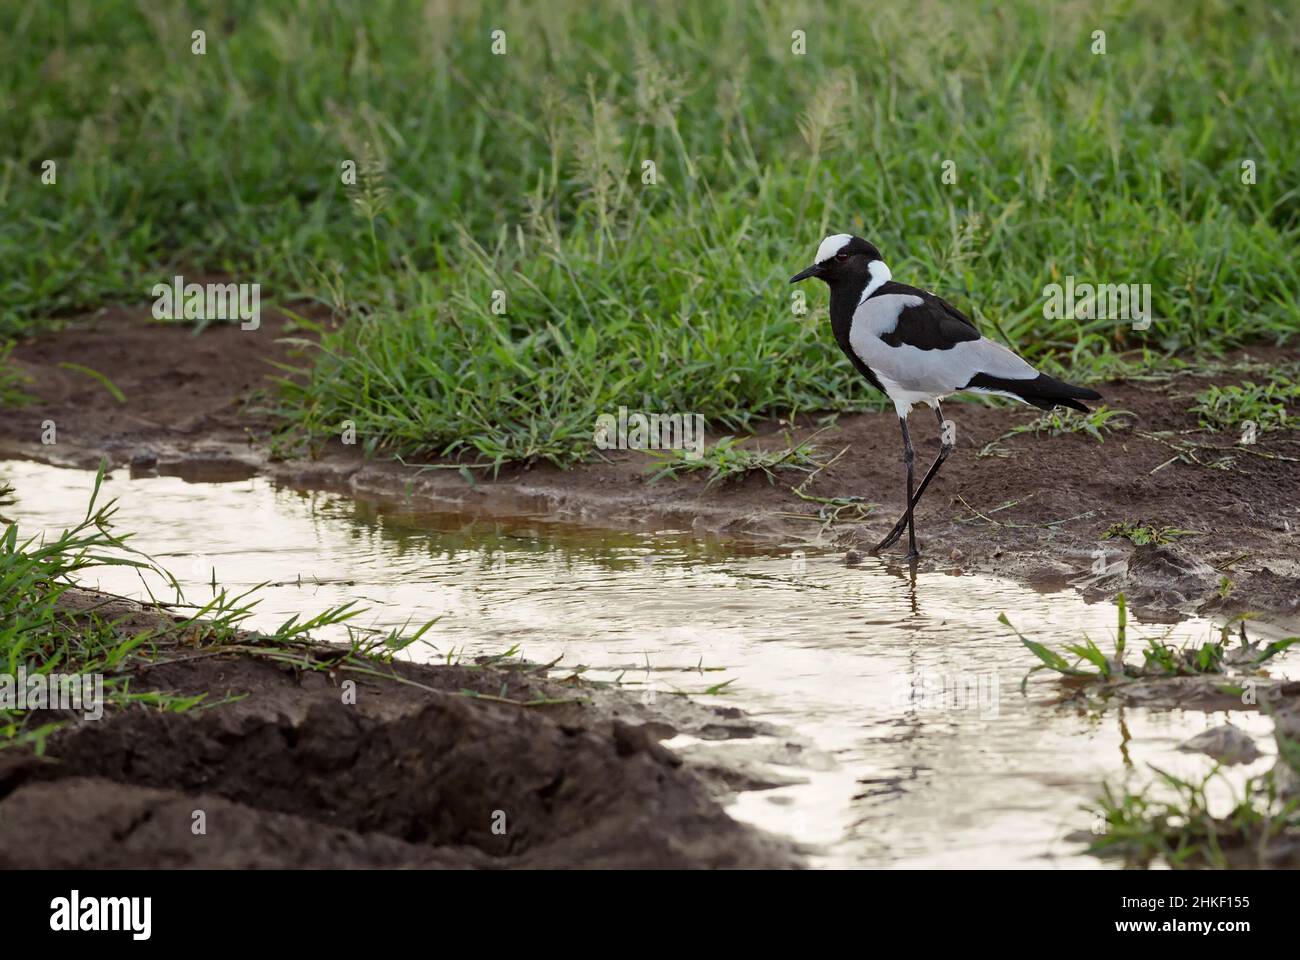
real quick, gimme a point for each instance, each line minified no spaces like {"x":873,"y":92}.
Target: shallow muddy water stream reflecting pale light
{"x":900,"y":734}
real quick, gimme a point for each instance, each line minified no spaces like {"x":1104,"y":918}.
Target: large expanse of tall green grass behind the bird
{"x":527,"y":175}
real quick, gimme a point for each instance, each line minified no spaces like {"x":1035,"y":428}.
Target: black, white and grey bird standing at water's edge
{"x":920,"y":349}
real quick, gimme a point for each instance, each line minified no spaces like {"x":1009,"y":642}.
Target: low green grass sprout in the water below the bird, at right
{"x":1160,"y":659}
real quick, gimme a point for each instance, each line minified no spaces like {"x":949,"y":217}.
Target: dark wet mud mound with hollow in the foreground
{"x":310,"y":758}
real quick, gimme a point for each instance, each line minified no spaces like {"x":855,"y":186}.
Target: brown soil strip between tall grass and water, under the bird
{"x":1035,"y":512}
